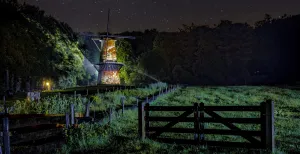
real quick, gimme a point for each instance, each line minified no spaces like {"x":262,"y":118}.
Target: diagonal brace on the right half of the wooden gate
{"x":233,"y":127}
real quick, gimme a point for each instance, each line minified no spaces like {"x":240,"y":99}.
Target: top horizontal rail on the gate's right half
{"x":232,"y":108}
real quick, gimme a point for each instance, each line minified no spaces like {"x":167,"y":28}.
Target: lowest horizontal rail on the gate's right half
{"x":232,"y":144}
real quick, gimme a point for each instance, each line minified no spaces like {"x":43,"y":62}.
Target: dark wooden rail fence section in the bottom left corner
{"x":54,"y":122}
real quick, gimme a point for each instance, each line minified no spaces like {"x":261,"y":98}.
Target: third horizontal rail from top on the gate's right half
{"x":232,"y":132}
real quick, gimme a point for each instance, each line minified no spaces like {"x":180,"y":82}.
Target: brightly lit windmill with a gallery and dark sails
{"x":108,"y":68}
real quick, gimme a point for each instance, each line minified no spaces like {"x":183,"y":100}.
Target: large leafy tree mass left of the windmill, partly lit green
{"x":34,"y":44}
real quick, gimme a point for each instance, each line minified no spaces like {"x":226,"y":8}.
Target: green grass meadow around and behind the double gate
{"x":122,"y":135}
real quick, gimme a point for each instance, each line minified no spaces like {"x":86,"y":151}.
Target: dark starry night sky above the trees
{"x":164,"y":15}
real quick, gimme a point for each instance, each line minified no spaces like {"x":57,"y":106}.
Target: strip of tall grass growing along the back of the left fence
{"x":100,"y":102}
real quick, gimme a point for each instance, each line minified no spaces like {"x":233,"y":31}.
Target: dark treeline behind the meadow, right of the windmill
{"x":226,"y":54}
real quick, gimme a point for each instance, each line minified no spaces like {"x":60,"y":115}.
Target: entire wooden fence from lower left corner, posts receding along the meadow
{"x":68,"y":120}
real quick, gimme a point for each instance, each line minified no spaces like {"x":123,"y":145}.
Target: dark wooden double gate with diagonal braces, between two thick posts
{"x":265,"y":134}
